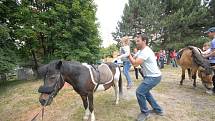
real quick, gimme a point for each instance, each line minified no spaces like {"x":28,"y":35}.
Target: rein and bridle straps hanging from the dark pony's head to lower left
{"x":50,"y":96}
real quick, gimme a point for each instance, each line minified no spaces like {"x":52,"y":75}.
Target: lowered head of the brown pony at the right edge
{"x":206,"y":77}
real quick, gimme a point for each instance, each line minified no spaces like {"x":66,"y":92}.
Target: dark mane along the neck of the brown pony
{"x":200,"y":60}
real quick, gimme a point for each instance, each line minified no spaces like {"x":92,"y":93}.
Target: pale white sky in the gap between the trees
{"x":108,"y":13}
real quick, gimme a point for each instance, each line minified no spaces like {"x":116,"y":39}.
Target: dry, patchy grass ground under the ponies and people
{"x":19,"y":101}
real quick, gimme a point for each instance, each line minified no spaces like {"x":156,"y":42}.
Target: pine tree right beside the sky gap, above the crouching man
{"x":141,"y":16}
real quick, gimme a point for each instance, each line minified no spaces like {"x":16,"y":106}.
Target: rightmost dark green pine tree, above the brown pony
{"x":184,"y":23}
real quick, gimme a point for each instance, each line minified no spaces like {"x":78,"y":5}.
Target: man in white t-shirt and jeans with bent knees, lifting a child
{"x":152,"y":76}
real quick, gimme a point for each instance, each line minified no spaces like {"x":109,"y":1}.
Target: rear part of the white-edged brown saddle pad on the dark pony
{"x":106,"y":74}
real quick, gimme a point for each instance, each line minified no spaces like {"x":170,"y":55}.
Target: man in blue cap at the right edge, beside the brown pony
{"x":211,"y":53}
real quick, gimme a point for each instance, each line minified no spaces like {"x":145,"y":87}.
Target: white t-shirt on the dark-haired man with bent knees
{"x":149,"y":65}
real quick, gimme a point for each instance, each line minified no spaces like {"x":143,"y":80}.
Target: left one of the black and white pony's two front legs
{"x":86,"y":106}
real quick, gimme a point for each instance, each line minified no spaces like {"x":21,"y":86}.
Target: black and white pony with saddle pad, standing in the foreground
{"x":84,"y":78}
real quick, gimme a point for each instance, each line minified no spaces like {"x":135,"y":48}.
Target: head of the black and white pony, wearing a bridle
{"x":53,"y":82}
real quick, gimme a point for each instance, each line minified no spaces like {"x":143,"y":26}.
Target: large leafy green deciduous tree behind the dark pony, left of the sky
{"x":52,"y":29}
